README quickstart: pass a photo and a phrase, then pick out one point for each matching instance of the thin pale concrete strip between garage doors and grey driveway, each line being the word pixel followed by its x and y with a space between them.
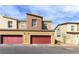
pixel 54 45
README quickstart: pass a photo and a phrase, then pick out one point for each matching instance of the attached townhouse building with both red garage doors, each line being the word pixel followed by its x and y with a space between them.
pixel 33 30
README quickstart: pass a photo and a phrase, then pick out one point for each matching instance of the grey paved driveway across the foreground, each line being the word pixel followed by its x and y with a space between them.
pixel 22 49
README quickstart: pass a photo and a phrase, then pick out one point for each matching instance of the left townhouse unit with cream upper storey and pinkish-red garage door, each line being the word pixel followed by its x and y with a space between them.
pixel 8 34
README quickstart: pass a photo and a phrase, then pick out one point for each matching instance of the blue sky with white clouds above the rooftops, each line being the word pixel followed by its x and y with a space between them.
pixel 56 13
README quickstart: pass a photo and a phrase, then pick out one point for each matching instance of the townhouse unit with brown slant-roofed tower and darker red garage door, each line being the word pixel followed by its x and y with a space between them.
pixel 39 30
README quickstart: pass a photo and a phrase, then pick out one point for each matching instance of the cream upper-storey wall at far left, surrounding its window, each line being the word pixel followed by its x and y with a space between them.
pixel 4 23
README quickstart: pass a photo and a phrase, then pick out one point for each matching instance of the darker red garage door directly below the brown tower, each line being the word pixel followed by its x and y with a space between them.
pixel 40 39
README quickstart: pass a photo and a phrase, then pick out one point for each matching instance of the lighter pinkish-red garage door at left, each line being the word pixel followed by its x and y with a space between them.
pixel 12 39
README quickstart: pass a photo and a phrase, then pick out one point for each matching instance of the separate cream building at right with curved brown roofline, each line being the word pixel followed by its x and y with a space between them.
pixel 67 33
